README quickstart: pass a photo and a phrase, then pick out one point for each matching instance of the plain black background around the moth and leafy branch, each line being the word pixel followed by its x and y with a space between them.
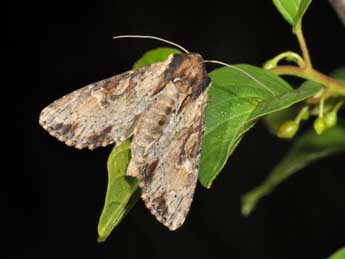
pixel 58 195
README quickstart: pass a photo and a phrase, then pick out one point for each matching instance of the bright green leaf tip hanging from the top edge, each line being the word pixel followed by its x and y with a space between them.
pixel 292 10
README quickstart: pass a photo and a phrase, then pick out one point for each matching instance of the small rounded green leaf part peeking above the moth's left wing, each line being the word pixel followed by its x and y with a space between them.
pixel 154 56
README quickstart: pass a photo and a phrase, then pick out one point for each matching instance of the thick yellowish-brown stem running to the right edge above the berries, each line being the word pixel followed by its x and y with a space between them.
pixel 333 86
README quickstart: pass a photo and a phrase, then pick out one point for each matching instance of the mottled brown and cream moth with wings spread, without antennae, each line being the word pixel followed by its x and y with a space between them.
pixel 162 108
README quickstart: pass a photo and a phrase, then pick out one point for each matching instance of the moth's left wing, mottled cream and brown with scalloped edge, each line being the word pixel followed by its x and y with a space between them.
pixel 104 112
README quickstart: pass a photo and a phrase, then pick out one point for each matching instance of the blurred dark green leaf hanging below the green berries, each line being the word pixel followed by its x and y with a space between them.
pixel 305 150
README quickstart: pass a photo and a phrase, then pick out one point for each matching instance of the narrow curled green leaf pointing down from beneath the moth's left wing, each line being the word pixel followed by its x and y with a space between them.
pixel 122 191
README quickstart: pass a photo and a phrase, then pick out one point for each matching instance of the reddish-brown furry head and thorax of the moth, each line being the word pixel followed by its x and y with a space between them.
pixel 188 73
